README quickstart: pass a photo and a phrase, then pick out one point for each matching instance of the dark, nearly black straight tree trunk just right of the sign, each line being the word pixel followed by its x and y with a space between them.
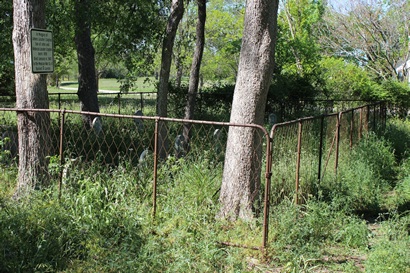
pixel 87 81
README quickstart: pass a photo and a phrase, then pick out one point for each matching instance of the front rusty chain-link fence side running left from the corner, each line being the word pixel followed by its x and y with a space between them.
pixel 116 140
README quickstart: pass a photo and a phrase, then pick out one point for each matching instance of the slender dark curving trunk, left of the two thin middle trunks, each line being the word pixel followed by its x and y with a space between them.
pixel 177 11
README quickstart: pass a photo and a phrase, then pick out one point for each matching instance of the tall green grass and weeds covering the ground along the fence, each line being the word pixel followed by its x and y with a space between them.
pixel 104 222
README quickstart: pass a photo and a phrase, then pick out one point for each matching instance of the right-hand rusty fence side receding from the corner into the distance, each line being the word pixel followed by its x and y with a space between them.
pixel 307 150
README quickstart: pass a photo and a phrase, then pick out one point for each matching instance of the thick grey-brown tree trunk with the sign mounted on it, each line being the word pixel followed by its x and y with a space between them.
pixel 31 93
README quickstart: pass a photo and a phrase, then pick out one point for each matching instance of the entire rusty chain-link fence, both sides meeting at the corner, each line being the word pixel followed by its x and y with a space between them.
pixel 297 156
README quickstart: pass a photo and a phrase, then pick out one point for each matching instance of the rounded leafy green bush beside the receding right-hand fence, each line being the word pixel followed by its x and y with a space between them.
pixel 364 177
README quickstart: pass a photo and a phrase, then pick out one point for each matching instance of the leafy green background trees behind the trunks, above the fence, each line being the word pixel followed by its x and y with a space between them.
pixel 334 53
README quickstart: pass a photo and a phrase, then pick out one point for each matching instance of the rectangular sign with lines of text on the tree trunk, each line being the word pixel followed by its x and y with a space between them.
pixel 42 51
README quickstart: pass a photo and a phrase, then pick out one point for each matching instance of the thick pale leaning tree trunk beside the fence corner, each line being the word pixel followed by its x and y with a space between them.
pixel 241 176
